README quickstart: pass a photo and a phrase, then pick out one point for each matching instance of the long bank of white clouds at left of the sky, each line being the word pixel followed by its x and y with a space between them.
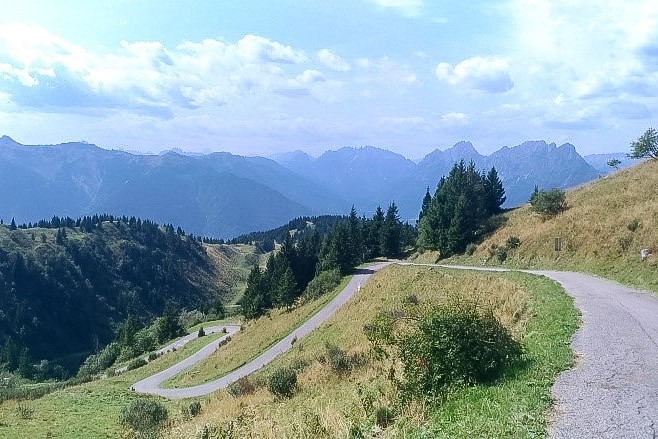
pixel 40 69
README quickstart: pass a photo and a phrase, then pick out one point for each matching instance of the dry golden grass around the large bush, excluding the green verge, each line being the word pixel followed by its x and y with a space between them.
pixel 327 405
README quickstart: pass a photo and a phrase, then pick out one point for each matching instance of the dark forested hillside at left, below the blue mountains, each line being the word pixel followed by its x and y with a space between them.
pixel 65 284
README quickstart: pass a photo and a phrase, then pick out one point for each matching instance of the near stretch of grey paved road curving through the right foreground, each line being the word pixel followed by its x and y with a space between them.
pixel 612 392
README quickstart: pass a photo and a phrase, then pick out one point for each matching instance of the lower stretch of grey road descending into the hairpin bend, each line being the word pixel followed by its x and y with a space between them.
pixel 152 384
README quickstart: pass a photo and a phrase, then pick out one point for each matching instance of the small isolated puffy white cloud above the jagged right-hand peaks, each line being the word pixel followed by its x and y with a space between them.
pixel 488 74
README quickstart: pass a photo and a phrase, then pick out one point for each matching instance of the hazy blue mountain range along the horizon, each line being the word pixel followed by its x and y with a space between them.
pixel 224 195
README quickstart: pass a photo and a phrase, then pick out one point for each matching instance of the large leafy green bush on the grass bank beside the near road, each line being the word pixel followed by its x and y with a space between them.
pixel 444 346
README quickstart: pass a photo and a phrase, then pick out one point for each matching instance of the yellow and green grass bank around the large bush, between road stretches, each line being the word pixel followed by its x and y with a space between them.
pixel 328 405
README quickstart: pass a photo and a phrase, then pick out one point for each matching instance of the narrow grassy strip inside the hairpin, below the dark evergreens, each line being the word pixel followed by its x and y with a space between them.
pixel 251 341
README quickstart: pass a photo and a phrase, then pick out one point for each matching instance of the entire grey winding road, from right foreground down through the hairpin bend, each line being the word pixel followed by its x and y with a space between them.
pixel 612 392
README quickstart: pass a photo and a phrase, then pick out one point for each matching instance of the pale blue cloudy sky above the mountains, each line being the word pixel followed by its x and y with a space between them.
pixel 264 77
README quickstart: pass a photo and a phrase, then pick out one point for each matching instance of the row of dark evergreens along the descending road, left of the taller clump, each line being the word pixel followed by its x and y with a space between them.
pixel 349 242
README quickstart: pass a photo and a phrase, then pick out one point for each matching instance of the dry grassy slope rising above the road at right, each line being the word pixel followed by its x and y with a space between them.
pixel 592 230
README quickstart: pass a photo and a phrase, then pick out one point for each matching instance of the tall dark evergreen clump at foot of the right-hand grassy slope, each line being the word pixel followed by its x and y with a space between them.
pixel 457 213
